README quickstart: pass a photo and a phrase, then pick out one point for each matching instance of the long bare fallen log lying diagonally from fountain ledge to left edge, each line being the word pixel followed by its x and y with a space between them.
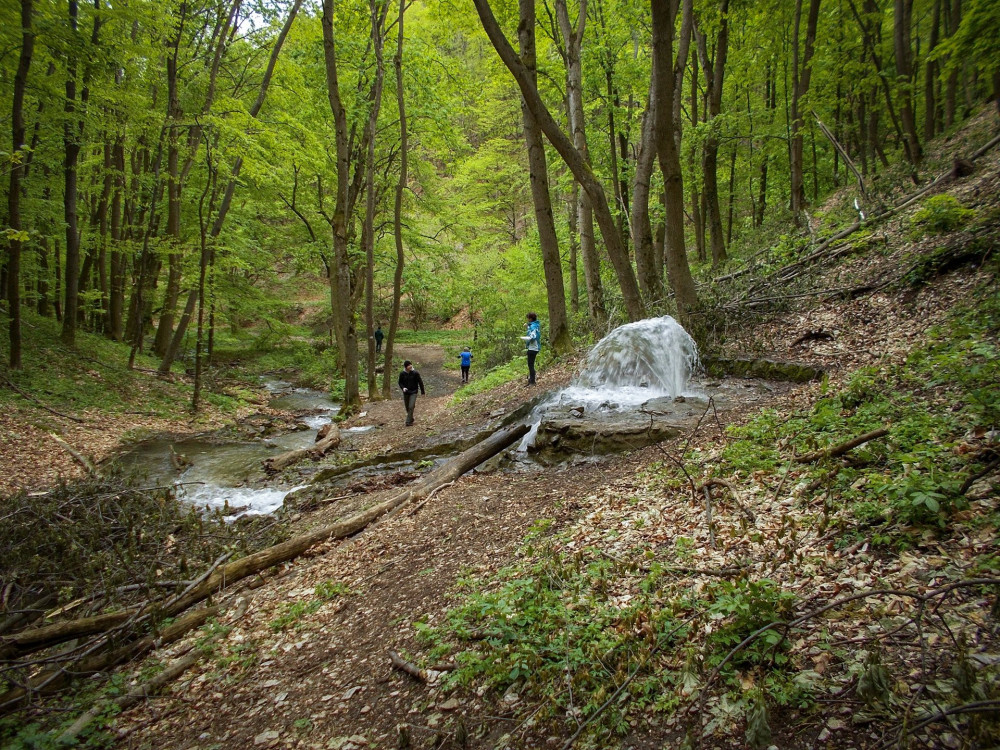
pixel 226 575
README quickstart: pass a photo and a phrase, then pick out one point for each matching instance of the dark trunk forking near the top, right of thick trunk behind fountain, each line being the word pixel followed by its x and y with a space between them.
pixel 714 73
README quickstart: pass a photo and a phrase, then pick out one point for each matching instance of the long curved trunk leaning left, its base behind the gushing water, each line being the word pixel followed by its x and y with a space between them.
pixel 574 160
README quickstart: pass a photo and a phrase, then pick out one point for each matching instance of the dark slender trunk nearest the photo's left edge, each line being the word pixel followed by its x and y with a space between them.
pixel 18 134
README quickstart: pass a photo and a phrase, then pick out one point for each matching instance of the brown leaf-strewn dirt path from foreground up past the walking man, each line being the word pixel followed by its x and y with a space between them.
pixel 298 671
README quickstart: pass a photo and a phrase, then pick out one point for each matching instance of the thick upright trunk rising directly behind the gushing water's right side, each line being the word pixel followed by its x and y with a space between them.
pixel 664 77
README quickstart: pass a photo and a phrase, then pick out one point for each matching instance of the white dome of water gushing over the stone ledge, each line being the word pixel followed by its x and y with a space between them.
pixel 635 363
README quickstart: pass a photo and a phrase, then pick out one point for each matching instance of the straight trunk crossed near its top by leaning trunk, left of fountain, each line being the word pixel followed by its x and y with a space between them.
pixel 559 334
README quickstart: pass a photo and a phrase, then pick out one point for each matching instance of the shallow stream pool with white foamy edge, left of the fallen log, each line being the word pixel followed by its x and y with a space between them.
pixel 220 474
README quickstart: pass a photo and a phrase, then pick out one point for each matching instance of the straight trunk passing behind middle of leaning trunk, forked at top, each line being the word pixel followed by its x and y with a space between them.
pixel 573 39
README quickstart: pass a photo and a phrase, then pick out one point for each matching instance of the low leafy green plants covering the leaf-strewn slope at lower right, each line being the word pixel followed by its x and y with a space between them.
pixel 567 627
